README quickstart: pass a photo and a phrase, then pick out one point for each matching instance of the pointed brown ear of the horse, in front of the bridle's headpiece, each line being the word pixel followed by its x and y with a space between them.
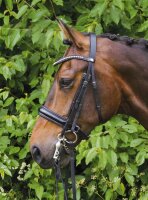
pixel 77 38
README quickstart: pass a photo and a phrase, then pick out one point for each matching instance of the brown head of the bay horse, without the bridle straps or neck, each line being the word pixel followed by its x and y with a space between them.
pixel 67 81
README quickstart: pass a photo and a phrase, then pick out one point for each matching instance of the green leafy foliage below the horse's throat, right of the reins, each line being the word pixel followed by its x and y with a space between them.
pixel 116 155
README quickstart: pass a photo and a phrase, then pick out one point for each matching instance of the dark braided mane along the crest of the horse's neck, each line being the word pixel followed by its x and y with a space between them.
pixel 129 41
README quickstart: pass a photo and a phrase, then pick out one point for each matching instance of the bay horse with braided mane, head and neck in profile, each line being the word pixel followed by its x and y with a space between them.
pixel 121 77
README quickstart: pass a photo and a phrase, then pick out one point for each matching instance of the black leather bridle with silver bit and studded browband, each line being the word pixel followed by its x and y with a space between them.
pixel 69 124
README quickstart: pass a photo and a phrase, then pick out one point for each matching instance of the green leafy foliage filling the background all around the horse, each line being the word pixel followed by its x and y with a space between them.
pixel 30 41
